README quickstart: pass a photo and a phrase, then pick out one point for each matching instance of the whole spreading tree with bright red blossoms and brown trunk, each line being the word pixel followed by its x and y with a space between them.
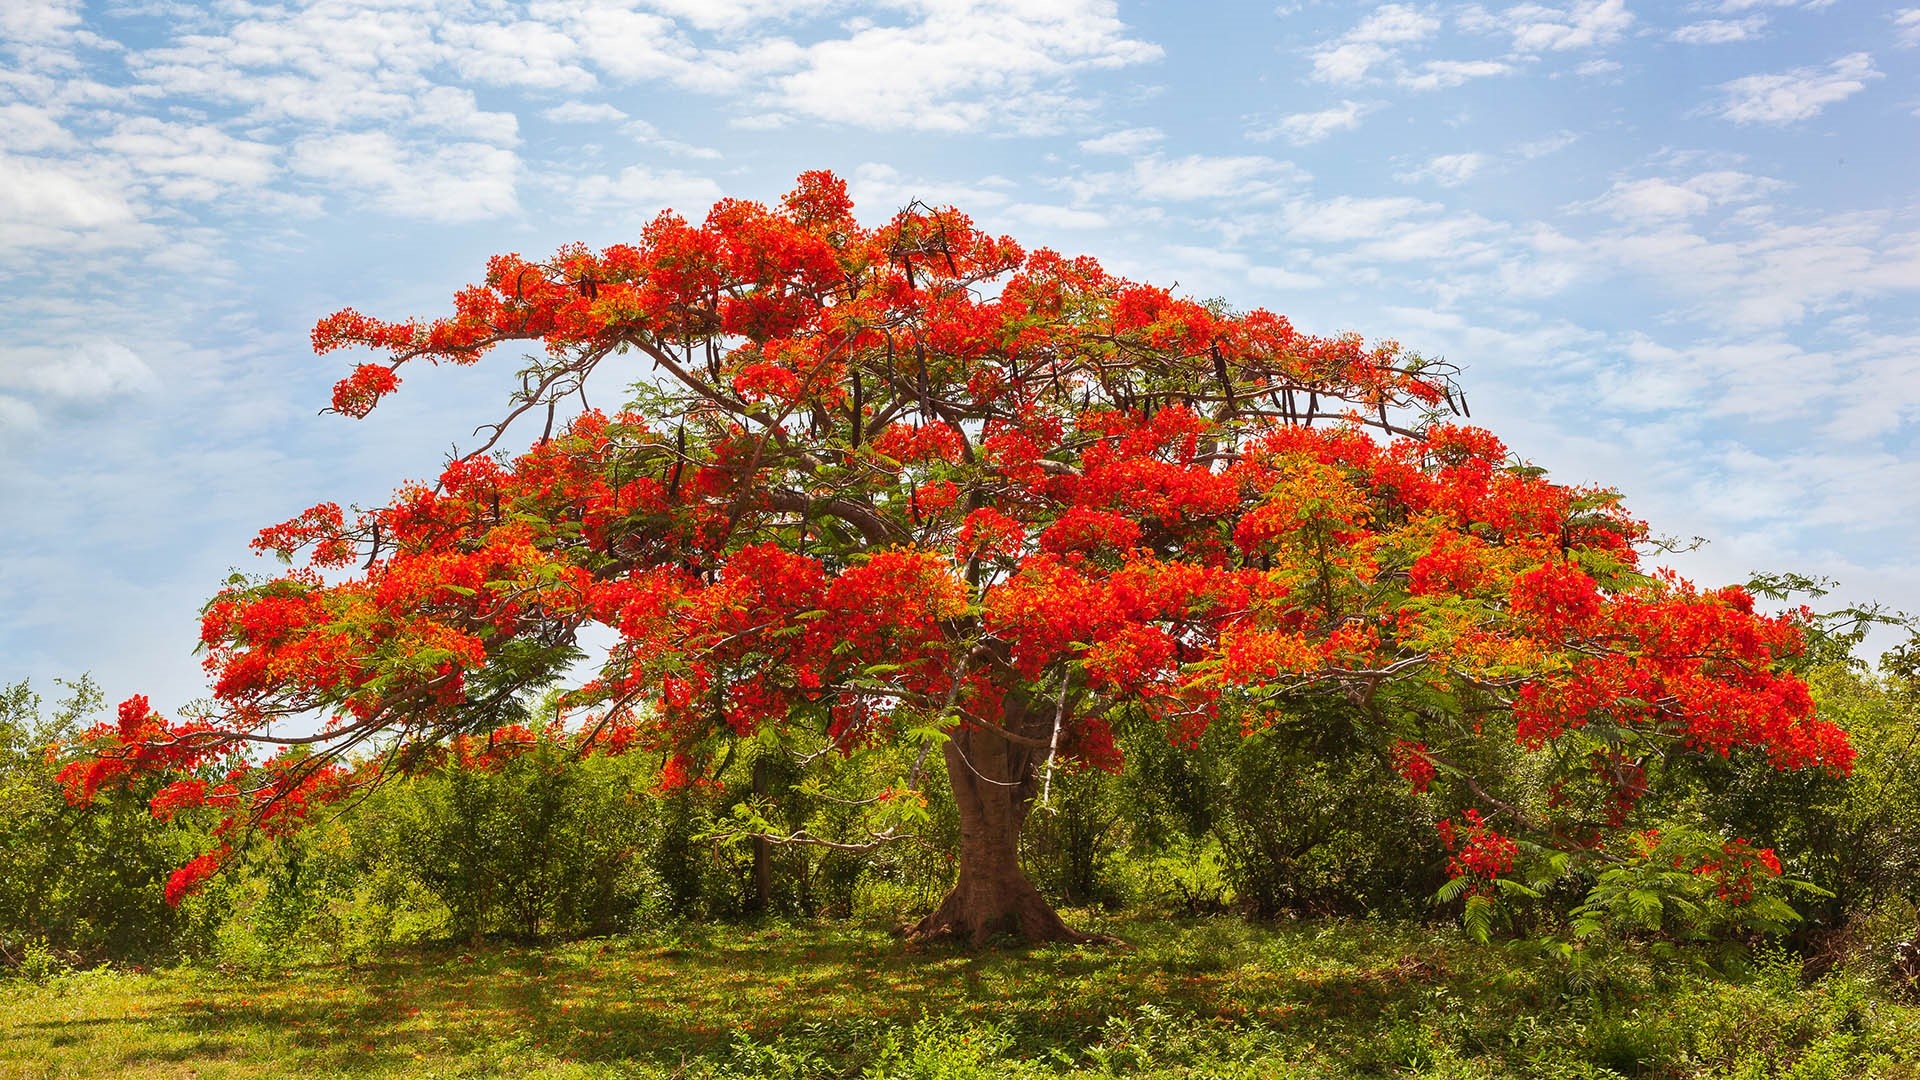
pixel 917 478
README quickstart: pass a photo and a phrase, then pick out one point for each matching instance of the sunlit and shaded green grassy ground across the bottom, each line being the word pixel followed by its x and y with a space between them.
pixel 1180 998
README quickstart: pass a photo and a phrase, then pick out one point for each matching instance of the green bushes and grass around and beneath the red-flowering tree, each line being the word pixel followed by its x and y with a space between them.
pixel 1270 912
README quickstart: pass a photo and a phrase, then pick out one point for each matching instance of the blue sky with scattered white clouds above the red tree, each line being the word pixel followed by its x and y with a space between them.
pixel 1675 247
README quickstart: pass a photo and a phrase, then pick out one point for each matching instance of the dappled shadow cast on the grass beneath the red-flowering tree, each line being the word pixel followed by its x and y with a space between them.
pixel 669 1000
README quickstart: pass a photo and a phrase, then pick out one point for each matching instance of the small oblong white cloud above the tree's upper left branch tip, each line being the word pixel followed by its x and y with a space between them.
pixel 458 182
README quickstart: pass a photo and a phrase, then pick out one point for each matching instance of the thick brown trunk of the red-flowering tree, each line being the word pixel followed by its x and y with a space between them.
pixel 994 783
